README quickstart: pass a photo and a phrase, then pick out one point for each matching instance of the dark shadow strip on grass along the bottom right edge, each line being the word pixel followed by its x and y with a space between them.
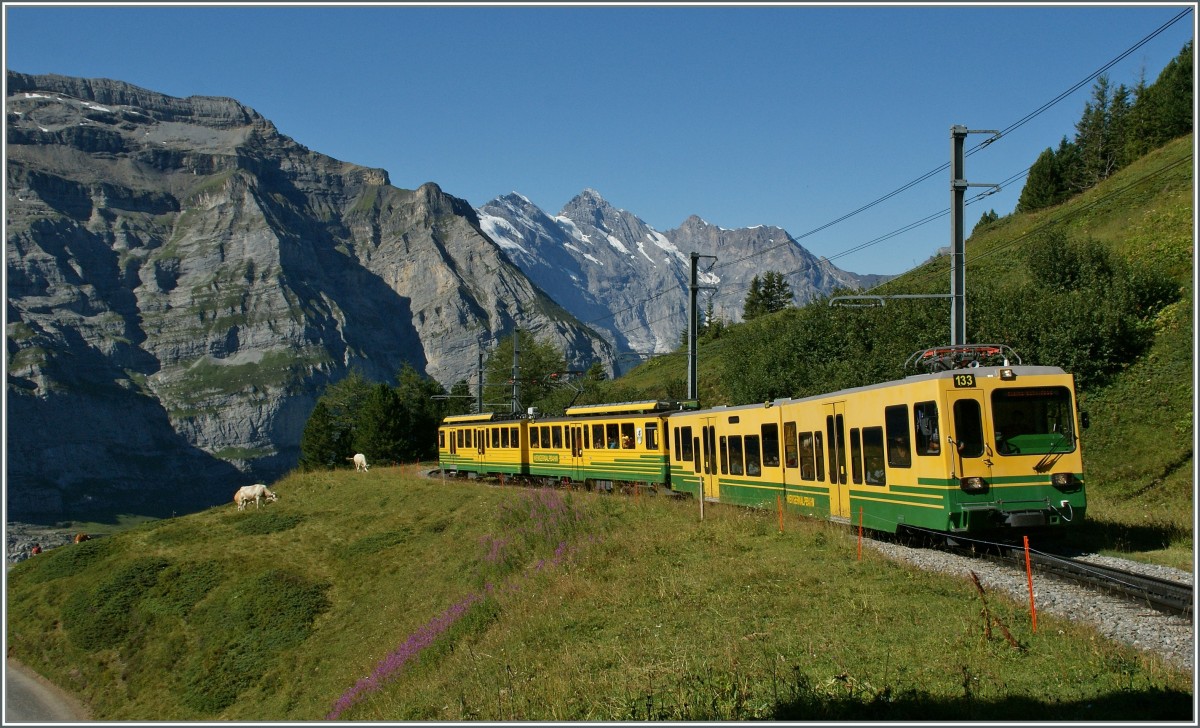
pixel 1126 706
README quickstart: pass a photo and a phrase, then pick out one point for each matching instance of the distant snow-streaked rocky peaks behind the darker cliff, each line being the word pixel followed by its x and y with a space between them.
pixel 632 282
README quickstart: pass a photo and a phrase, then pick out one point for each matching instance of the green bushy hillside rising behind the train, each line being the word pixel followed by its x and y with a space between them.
pixel 1101 286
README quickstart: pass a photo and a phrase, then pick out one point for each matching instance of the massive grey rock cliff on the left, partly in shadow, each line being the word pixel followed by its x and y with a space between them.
pixel 183 280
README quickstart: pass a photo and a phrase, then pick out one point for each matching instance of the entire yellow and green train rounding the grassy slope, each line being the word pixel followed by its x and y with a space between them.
pixel 969 448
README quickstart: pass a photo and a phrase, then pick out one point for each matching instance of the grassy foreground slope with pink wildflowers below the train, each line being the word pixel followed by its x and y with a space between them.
pixel 386 597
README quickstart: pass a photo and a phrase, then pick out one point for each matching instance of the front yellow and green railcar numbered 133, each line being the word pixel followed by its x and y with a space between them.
pixel 962 450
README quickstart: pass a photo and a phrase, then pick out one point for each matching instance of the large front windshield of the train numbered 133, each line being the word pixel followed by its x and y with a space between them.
pixel 1034 420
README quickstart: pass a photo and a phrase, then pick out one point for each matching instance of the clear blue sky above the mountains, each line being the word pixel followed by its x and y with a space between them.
pixel 785 116
